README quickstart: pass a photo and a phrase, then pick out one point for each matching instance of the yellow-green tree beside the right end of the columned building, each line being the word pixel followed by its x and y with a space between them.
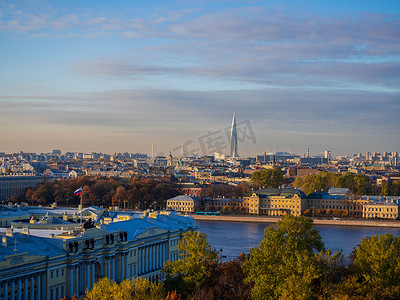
pixel 195 262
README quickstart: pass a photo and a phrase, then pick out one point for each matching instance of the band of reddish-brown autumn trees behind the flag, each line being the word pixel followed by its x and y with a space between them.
pixel 132 193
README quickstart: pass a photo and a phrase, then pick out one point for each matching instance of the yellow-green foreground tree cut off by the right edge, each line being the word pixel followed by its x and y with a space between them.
pixel 377 261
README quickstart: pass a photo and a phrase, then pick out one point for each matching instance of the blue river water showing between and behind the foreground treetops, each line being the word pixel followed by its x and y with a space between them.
pixel 237 237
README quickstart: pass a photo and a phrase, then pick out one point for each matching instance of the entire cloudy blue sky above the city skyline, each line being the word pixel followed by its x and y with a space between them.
pixel 114 77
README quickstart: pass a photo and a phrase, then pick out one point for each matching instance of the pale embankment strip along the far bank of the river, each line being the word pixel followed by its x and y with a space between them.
pixel 259 219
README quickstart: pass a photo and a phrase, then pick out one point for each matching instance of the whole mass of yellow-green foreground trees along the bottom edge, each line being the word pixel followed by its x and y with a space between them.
pixel 289 263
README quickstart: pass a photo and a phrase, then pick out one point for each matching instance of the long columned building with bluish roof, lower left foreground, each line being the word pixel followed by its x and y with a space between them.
pixel 51 264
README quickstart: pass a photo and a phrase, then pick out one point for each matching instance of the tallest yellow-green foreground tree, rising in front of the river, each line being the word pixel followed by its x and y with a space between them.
pixel 284 264
